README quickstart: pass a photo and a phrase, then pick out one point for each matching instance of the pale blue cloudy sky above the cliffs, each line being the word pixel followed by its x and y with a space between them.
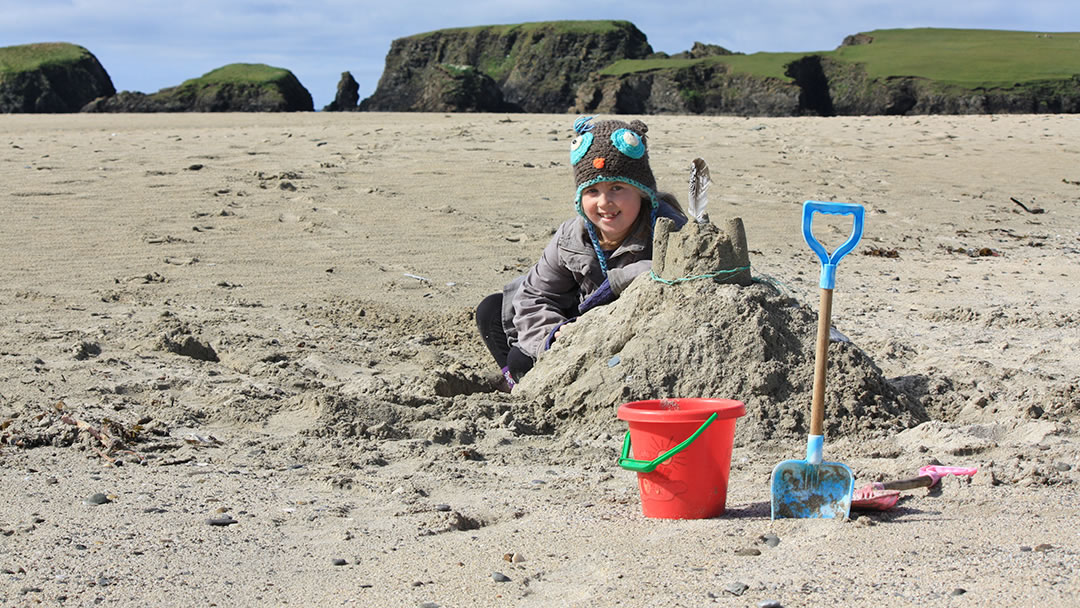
pixel 147 46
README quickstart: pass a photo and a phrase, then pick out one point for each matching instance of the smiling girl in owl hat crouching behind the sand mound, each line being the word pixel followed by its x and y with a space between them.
pixel 592 258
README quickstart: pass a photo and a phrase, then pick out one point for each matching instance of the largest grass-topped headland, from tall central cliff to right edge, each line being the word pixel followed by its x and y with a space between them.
pixel 609 67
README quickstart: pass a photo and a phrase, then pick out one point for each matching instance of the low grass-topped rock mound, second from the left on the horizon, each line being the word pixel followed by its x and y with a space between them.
pixel 237 88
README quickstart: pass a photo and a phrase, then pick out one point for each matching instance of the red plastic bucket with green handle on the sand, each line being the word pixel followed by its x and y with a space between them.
pixel 682 454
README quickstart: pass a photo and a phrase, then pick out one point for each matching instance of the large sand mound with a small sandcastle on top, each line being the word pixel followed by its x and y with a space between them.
pixel 700 339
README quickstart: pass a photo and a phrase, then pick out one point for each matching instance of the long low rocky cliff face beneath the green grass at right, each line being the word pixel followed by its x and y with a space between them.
pixel 816 86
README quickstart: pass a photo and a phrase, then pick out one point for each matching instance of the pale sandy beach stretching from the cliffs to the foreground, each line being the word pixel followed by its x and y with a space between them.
pixel 239 366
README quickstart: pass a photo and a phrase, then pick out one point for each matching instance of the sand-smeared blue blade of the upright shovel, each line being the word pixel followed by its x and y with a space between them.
pixel 804 491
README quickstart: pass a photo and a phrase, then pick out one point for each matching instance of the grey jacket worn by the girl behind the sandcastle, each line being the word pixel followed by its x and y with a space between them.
pixel 569 273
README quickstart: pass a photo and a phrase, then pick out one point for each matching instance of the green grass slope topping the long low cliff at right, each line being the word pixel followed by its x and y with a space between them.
pixel 970 59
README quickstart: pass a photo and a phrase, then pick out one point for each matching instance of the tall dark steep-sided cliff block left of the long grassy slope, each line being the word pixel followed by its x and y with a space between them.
pixel 529 67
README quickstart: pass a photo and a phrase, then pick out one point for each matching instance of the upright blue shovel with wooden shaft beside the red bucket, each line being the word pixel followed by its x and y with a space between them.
pixel 812 489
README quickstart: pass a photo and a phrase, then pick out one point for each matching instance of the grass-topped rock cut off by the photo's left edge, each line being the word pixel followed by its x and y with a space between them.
pixel 50 78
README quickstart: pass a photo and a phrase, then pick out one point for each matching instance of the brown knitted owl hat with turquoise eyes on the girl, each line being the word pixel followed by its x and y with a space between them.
pixel 612 151
